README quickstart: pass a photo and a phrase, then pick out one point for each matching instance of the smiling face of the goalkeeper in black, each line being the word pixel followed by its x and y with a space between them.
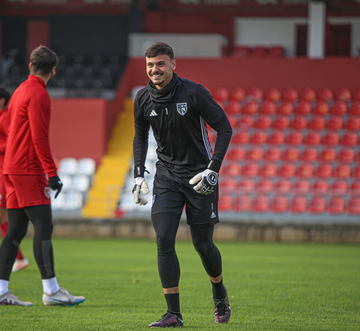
pixel 160 70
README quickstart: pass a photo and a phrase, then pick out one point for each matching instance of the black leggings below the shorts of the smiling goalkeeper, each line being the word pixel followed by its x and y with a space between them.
pixel 166 226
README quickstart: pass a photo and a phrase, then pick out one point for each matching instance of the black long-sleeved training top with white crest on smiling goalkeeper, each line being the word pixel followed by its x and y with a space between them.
pixel 178 114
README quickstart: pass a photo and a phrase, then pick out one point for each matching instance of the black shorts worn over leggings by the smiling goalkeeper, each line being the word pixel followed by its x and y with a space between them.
pixel 171 196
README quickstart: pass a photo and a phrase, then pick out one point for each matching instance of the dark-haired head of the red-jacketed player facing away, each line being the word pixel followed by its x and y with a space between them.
pixel 43 60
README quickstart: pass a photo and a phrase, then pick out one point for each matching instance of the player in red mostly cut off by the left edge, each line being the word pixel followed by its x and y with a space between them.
pixel 21 262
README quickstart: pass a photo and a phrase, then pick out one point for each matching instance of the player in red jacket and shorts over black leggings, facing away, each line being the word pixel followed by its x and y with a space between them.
pixel 30 173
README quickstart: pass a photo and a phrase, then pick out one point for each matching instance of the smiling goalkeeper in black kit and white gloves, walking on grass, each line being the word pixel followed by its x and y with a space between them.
pixel 186 173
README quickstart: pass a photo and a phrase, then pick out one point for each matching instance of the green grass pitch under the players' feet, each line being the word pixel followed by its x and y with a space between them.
pixel 271 287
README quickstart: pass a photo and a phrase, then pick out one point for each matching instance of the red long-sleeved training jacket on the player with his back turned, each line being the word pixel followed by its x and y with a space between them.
pixel 28 148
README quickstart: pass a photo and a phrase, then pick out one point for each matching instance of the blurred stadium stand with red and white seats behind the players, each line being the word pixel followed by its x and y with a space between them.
pixel 285 71
